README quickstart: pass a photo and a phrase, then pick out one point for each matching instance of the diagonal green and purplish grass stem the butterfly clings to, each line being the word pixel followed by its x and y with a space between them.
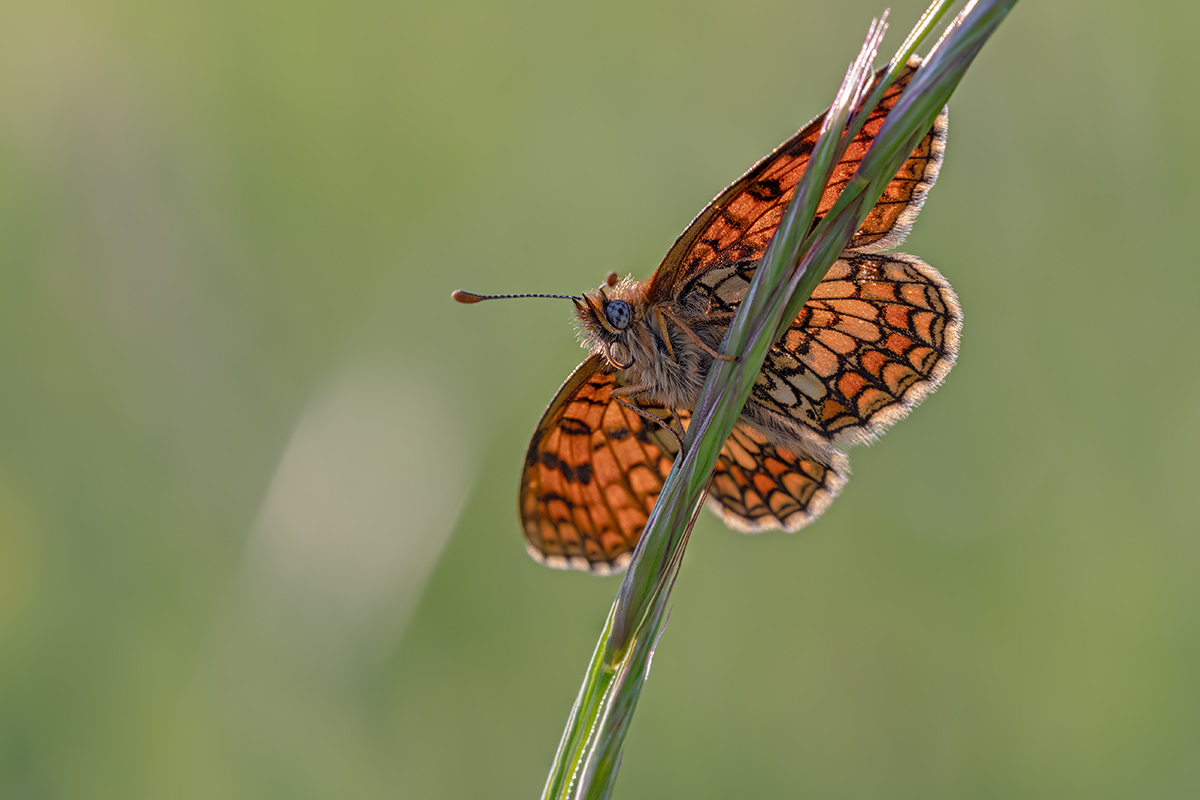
pixel 591 750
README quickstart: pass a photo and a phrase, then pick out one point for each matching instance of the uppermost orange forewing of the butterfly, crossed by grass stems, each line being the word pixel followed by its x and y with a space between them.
pixel 739 225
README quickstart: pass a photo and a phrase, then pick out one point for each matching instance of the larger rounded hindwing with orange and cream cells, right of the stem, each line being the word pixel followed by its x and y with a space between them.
pixel 879 334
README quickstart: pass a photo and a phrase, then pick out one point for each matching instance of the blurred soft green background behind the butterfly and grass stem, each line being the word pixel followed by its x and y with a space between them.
pixel 257 473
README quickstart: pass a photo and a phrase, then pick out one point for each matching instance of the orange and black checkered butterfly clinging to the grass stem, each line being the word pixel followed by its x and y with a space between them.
pixel 880 332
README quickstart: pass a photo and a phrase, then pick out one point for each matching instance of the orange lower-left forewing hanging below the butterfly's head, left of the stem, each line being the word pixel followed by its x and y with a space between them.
pixel 593 472
